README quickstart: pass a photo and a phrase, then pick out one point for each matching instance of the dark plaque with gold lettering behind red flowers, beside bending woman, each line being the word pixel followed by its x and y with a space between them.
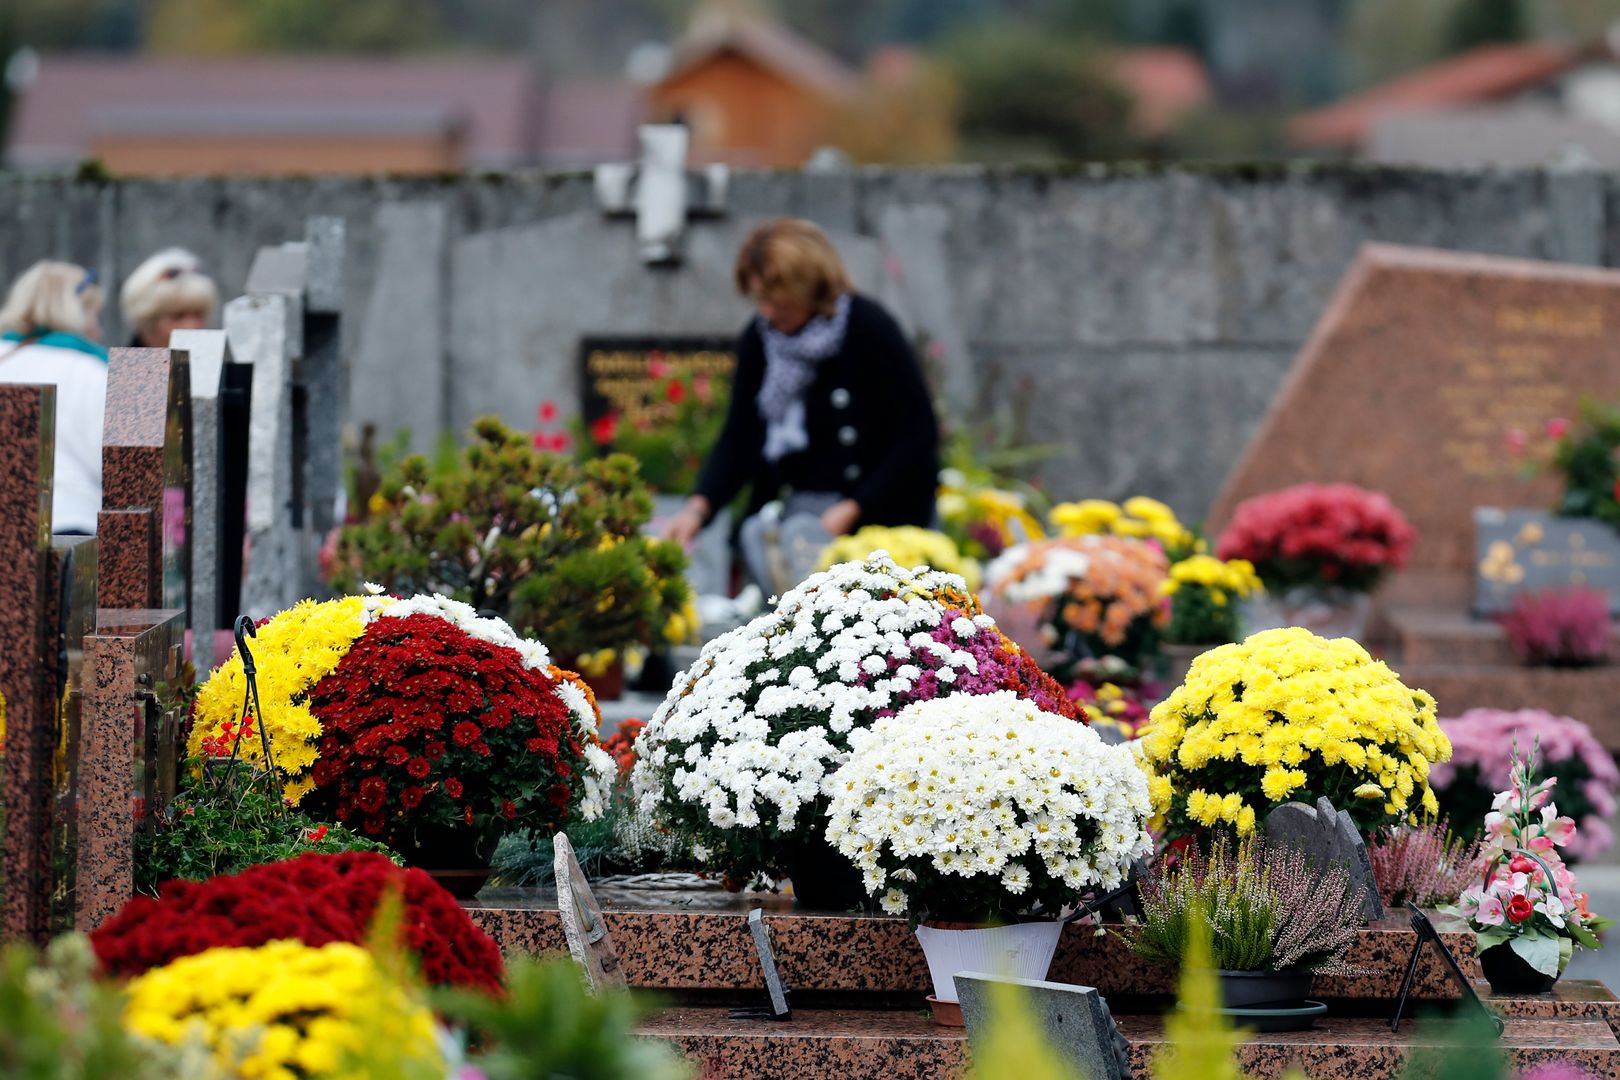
pixel 629 378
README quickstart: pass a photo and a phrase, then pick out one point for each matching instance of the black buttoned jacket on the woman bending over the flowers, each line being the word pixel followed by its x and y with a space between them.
pixel 872 432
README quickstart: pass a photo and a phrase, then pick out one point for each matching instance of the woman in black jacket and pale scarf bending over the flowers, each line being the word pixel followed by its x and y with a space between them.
pixel 829 406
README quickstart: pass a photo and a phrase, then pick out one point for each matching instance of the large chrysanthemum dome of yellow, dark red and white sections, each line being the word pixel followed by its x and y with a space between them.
pixel 417 723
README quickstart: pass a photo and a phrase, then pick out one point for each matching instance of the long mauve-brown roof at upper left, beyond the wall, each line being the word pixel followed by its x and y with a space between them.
pixel 497 106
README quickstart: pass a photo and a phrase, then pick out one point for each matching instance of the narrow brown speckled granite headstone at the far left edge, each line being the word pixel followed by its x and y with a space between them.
pixel 27 456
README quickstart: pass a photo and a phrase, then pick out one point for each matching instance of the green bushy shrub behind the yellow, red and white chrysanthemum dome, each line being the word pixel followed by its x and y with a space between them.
pixel 553 546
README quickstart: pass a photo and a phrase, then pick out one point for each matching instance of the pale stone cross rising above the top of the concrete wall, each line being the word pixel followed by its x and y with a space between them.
pixel 659 192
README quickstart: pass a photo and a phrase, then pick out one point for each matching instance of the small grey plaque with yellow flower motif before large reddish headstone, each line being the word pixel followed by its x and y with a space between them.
pixel 1528 550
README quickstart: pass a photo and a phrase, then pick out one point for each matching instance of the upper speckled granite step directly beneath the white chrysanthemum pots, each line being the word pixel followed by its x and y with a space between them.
pixel 683 950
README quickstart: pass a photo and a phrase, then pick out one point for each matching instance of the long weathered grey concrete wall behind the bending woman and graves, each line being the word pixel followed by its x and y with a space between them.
pixel 1143 318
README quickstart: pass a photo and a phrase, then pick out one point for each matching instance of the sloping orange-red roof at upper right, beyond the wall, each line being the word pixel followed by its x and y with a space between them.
pixel 1477 77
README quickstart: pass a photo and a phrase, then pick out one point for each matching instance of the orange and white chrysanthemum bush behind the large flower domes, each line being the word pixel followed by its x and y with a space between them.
pixel 1094 595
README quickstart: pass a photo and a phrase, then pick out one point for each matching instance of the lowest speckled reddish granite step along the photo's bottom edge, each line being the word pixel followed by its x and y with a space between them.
pixel 905 1045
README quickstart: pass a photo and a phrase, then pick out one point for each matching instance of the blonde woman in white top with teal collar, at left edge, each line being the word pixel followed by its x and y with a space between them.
pixel 51 333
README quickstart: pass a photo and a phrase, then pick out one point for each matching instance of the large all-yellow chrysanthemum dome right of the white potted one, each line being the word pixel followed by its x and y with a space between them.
pixel 1289 716
